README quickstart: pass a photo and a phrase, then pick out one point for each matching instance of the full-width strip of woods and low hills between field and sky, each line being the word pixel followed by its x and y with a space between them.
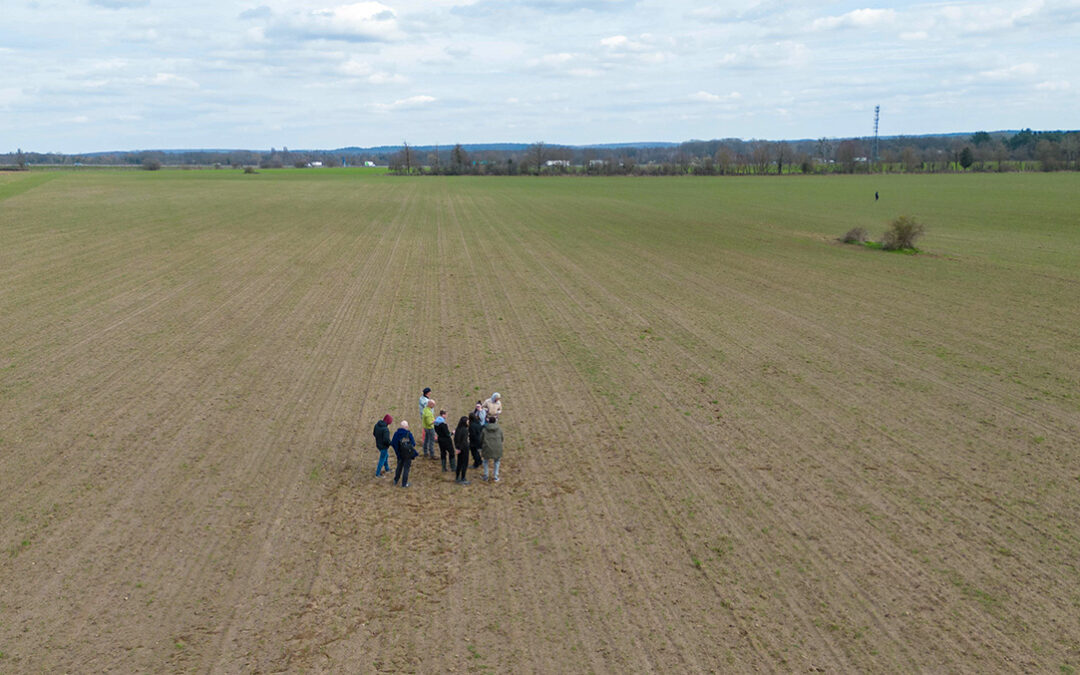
pixel 992 152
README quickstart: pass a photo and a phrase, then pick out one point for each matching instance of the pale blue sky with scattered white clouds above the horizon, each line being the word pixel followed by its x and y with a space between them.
pixel 82 76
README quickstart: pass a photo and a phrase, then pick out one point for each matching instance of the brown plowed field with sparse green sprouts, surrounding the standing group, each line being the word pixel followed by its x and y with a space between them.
pixel 733 443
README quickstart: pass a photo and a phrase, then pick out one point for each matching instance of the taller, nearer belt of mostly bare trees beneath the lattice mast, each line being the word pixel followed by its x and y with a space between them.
pixel 1001 152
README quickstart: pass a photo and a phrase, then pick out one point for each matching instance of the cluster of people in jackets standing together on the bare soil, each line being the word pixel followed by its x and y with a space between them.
pixel 478 435
